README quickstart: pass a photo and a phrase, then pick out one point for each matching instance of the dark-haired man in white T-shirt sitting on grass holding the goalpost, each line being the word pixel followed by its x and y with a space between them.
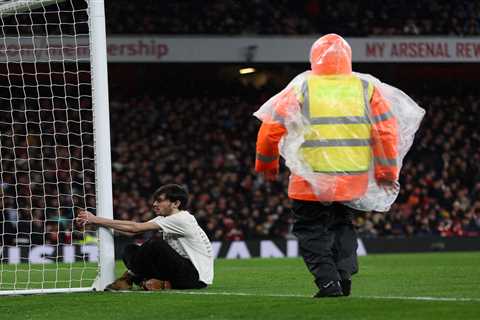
pixel 179 256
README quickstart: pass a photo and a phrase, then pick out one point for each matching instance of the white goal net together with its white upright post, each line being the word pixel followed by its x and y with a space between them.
pixel 53 114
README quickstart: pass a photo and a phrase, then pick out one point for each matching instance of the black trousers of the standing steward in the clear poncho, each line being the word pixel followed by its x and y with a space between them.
pixel 327 239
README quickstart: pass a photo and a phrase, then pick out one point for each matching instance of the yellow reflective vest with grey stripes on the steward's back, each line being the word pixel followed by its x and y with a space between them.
pixel 339 137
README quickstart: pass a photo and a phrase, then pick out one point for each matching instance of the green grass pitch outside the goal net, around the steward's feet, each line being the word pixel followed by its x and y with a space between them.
pixel 387 287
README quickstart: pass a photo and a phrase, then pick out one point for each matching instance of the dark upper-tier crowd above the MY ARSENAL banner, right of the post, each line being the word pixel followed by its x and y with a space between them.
pixel 289 17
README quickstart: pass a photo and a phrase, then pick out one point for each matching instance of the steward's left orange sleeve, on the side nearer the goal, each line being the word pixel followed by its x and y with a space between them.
pixel 271 132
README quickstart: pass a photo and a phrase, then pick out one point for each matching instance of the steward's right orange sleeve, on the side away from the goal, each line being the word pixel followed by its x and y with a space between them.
pixel 384 139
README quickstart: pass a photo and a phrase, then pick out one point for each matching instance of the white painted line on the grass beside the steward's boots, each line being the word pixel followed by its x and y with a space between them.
pixel 306 296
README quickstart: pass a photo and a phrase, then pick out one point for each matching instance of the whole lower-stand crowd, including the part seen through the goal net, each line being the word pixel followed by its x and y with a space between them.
pixel 207 143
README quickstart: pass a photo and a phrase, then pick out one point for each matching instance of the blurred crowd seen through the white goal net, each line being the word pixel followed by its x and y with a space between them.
pixel 47 167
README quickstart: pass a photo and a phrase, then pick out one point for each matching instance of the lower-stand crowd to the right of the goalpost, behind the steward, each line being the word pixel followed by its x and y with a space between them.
pixel 208 145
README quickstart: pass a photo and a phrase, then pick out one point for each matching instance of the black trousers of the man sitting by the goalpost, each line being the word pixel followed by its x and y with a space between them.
pixel 156 259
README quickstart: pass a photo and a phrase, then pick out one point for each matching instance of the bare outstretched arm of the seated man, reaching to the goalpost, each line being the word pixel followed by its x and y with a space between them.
pixel 131 227
